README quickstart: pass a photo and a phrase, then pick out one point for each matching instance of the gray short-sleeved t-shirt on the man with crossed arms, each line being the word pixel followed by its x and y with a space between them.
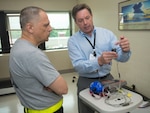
pixel 31 71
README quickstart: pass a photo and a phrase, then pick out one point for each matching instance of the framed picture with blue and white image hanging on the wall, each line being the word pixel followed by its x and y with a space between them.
pixel 134 15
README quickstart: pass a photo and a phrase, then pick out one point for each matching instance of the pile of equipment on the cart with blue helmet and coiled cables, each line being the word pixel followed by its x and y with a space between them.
pixel 111 91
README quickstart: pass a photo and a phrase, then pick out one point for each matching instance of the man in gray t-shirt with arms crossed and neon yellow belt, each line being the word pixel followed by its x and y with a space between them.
pixel 37 83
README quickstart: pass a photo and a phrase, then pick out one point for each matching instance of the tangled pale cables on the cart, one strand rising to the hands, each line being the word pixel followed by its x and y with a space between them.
pixel 114 95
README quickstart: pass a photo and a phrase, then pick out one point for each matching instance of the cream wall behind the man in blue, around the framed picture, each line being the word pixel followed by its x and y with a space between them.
pixel 137 69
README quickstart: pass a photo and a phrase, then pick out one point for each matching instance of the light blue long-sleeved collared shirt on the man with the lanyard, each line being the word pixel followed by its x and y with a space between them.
pixel 80 50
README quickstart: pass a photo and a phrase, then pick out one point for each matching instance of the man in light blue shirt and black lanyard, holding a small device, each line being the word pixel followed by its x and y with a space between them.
pixel 90 50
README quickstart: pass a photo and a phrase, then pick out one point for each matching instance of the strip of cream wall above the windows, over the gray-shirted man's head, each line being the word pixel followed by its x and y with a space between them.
pixel 50 5
